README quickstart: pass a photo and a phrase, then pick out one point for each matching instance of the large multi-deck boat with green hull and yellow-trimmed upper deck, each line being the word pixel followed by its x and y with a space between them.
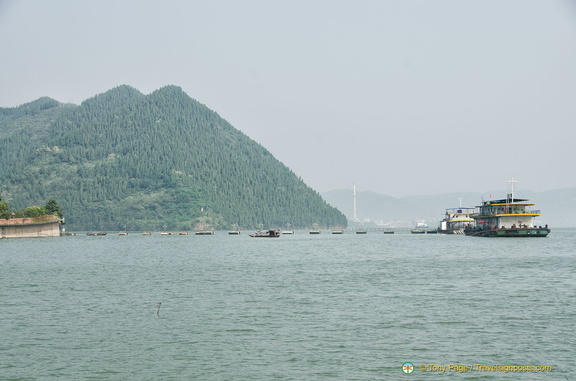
pixel 507 217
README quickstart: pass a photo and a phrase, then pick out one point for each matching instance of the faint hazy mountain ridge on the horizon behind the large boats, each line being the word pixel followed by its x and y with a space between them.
pixel 558 207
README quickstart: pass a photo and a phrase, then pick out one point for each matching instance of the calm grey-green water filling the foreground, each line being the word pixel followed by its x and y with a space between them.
pixel 302 307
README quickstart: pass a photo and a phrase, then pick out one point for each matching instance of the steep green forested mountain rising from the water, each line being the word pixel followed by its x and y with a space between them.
pixel 158 161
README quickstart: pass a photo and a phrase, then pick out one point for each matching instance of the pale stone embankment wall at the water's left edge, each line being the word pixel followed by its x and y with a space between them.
pixel 43 226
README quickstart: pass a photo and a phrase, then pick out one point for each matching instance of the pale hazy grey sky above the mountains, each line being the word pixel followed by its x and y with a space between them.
pixel 401 97
